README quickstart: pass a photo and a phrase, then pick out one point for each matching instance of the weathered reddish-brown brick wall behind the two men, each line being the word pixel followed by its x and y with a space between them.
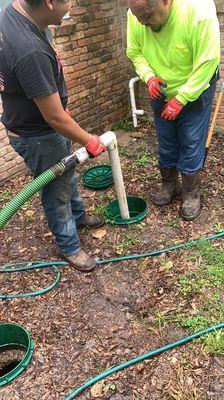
pixel 91 45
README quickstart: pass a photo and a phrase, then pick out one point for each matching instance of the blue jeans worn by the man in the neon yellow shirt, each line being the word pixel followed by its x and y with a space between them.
pixel 182 141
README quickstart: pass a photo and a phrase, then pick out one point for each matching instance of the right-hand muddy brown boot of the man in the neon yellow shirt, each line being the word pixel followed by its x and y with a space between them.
pixel 191 207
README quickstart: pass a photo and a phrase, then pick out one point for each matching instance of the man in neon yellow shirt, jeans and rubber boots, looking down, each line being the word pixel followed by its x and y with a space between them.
pixel 175 48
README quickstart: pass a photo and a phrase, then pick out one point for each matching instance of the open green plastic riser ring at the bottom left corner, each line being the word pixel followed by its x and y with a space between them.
pixel 14 336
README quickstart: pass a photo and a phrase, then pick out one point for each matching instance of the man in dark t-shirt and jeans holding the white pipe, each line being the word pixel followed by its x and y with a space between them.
pixel 39 128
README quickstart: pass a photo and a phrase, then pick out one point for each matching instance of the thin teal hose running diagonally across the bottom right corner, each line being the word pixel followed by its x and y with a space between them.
pixel 141 358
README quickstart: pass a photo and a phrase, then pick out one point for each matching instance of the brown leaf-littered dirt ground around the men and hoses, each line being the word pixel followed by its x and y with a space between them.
pixel 91 322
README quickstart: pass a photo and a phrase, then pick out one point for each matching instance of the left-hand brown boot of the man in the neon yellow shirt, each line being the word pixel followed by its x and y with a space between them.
pixel 171 187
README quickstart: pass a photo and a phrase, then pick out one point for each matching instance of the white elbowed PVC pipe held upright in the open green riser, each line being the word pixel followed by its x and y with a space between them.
pixel 110 141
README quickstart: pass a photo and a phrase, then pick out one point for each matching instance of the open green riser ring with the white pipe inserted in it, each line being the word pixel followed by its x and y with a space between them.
pixel 137 210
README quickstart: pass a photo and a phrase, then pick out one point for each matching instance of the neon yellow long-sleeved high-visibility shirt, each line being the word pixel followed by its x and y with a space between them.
pixel 185 53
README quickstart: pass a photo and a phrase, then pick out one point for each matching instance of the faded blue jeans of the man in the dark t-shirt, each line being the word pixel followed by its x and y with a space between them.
pixel 62 204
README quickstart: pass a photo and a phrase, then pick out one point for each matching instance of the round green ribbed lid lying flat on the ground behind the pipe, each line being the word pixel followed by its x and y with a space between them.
pixel 98 177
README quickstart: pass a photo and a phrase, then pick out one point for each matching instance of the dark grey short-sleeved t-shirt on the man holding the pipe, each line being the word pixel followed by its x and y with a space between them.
pixel 29 67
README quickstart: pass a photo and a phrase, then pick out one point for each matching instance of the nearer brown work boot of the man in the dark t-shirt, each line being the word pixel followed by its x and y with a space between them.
pixel 81 261
